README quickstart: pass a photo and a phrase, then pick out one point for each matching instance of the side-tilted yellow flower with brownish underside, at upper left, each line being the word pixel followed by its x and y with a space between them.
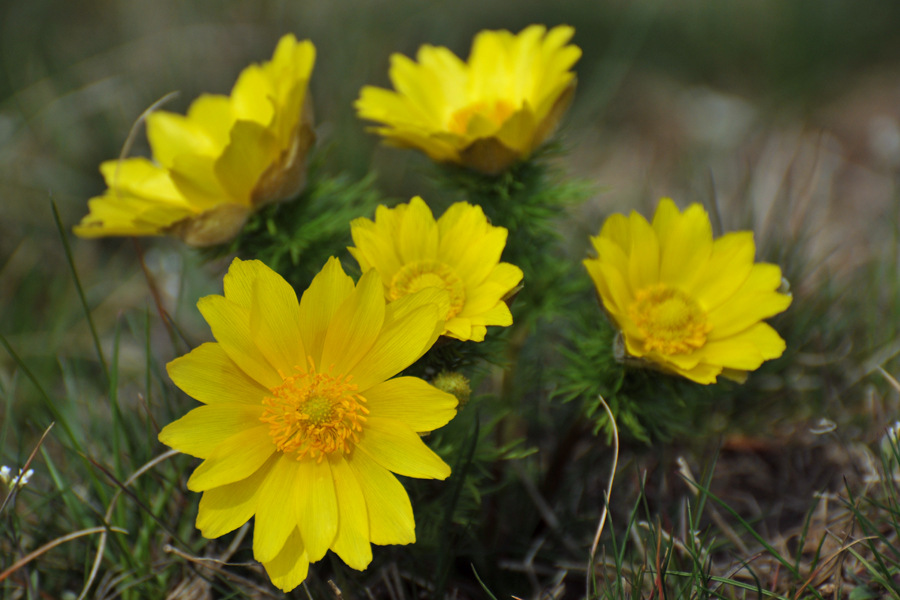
pixel 228 157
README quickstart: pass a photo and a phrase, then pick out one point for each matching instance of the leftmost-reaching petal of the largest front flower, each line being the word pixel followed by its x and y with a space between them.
pixel 200 432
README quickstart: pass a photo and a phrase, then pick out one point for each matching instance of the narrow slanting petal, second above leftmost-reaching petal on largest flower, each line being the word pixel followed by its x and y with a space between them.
pixel 230 324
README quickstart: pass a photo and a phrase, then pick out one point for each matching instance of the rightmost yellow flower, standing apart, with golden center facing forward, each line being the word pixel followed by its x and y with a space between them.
pixel 686 303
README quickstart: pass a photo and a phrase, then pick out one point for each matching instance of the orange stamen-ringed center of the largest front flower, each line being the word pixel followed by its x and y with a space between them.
pixel 314 413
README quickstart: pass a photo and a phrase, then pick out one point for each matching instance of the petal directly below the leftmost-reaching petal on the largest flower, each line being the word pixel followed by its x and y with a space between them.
pixel 235 459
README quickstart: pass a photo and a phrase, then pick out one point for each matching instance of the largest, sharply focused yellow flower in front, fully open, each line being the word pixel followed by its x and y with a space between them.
pixel 302 426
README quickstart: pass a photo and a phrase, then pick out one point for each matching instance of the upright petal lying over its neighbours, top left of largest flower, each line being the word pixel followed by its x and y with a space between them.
pixel 275 321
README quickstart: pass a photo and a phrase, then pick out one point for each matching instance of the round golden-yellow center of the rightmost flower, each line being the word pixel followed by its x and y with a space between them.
pixel 671 321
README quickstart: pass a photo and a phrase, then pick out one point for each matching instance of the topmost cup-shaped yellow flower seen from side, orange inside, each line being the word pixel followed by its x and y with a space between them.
pixel 485 114
